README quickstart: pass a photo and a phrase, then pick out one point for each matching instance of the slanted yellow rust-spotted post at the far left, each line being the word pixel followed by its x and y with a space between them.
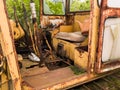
pixel 8 46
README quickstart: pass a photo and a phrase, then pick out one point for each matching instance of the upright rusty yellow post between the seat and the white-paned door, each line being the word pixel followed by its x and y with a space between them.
pixel 93 34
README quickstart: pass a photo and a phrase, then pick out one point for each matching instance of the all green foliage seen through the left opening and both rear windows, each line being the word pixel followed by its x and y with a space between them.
pixel 56 7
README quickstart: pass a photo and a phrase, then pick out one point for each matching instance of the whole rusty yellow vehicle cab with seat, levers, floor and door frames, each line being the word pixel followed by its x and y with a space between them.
pixel 70 47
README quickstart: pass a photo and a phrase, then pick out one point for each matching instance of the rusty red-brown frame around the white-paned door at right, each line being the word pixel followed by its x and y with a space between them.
pixel 106 12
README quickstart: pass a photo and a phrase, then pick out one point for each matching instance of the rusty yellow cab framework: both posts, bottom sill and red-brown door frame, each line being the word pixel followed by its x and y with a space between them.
pixel 10 53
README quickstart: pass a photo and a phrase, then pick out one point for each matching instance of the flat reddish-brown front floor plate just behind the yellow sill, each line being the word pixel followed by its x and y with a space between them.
pixel 49 78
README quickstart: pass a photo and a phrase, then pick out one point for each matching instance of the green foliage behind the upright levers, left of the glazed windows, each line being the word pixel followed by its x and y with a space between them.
pixel 19 9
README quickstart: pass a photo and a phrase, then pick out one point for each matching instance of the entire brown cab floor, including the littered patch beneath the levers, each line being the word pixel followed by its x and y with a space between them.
pixel 39 78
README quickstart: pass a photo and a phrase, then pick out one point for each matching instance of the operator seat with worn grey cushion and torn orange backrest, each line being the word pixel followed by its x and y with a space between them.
pixel 79 36
